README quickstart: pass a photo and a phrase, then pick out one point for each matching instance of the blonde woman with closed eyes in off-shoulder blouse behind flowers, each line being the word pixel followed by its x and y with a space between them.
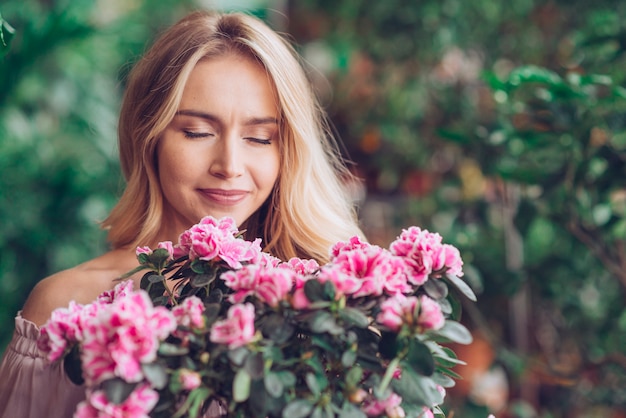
pixel 218 119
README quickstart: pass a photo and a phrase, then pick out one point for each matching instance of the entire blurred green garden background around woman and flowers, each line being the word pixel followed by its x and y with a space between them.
pixel 499 124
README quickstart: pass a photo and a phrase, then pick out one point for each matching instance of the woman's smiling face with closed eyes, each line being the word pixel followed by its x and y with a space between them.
pixel 220 156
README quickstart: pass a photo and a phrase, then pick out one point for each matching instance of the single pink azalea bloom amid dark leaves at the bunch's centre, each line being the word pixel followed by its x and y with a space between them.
pixel 237 329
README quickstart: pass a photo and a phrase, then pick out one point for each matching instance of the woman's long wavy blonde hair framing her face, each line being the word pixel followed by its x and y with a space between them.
pixel 308 210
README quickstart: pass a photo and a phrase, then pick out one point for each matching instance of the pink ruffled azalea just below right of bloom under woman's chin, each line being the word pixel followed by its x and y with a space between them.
pixel 270 285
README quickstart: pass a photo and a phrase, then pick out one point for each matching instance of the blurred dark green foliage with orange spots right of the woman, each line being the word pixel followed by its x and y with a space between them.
pixel 500 125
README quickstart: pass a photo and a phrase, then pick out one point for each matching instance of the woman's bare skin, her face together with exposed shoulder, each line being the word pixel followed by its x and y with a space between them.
pixel 219 156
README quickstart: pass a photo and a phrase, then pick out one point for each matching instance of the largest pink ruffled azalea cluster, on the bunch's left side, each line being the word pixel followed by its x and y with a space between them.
pixel 122 336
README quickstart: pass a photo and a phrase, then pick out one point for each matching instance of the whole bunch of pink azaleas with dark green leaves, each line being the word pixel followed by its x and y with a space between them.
pixel 220 328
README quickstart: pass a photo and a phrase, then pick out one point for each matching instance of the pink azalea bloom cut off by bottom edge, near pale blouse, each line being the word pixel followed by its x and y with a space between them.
pixel 138 405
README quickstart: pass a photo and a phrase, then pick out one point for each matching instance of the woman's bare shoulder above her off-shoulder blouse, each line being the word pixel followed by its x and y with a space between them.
pixel 81 284
